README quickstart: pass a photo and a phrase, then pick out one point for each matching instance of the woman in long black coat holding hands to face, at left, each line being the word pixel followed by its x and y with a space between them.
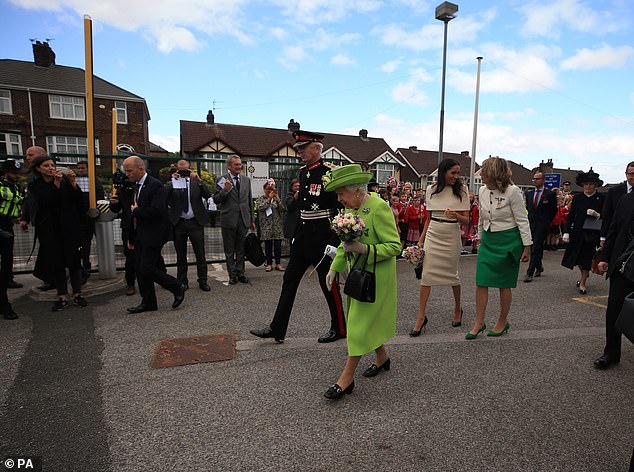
pixel 60 206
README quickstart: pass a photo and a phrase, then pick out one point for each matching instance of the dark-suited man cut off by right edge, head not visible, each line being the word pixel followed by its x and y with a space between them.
pixel 617 239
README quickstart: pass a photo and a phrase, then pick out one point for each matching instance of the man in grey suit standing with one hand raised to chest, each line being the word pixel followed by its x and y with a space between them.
pixel 233 194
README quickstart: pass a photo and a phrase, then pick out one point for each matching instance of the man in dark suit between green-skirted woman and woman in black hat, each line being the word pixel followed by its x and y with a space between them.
pixel 541 204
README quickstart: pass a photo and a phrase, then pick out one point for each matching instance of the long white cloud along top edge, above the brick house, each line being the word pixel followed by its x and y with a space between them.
pixel 169 24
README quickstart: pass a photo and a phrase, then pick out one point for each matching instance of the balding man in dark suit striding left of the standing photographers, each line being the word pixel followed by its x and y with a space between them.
pixel 149 230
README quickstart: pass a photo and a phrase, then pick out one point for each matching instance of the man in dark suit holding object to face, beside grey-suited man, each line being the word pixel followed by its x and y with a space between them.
pixel 189 217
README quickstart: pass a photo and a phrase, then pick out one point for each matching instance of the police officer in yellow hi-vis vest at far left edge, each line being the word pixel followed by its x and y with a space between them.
pixel 11 197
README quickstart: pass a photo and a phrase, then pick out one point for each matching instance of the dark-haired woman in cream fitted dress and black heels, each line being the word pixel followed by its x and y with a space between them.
pixel 448 208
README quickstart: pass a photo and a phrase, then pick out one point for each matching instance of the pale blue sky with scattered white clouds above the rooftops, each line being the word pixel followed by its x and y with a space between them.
pixel 557 76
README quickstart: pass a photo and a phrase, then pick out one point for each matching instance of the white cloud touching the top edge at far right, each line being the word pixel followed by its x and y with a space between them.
pixel 547 19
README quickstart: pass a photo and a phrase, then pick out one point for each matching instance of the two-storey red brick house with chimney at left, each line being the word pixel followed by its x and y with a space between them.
pixel 43 104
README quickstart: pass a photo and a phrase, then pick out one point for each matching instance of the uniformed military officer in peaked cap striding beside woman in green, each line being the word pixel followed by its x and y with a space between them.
pixel 312 234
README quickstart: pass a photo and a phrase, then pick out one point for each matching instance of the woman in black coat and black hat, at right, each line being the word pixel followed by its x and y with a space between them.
pixel 585 211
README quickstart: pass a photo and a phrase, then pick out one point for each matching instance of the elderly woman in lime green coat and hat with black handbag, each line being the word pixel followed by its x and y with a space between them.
pixel 370 325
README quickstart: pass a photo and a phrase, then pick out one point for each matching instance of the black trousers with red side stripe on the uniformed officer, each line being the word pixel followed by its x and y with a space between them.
pixel 297 266
